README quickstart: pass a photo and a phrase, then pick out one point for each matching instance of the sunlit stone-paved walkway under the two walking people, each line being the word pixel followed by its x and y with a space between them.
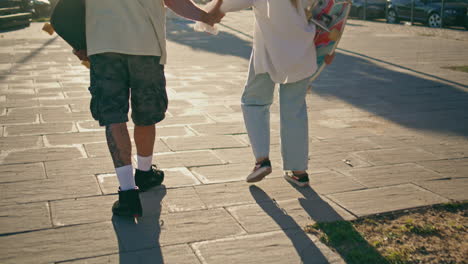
pixel 388 131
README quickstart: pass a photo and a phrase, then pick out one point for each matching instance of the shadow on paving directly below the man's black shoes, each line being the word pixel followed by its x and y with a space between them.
pixel 139 241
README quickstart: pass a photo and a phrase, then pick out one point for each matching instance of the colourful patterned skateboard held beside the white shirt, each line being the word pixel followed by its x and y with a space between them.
pixel 330 17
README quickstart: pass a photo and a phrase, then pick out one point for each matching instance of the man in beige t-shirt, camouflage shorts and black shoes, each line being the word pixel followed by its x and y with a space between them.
pixel 127 50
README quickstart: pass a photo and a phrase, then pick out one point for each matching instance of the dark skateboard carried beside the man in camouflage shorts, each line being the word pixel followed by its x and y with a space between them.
pixel 68 21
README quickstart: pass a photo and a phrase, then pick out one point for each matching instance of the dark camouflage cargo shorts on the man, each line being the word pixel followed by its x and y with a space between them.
pixel 117 78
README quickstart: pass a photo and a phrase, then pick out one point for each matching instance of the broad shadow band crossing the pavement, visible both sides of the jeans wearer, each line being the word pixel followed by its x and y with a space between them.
pixel 402 95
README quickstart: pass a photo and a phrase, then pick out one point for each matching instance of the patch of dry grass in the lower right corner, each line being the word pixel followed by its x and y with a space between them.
pixel 434 235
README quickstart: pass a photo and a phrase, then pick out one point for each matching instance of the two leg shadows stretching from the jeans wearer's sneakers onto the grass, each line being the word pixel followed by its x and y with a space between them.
pixel 321 212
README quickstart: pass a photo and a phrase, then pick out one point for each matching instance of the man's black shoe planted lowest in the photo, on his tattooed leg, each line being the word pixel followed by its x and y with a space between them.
pixel 128 204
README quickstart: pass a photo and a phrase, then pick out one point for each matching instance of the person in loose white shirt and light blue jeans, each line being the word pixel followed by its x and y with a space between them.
pixel 283 53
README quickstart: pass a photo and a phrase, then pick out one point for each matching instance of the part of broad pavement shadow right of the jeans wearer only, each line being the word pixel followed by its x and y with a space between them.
pixel 396 95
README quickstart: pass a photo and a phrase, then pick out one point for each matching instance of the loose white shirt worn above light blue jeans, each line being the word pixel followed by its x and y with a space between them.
pixel 283 39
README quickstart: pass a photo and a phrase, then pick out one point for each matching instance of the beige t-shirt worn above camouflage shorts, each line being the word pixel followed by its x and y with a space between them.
pixel 135 27
